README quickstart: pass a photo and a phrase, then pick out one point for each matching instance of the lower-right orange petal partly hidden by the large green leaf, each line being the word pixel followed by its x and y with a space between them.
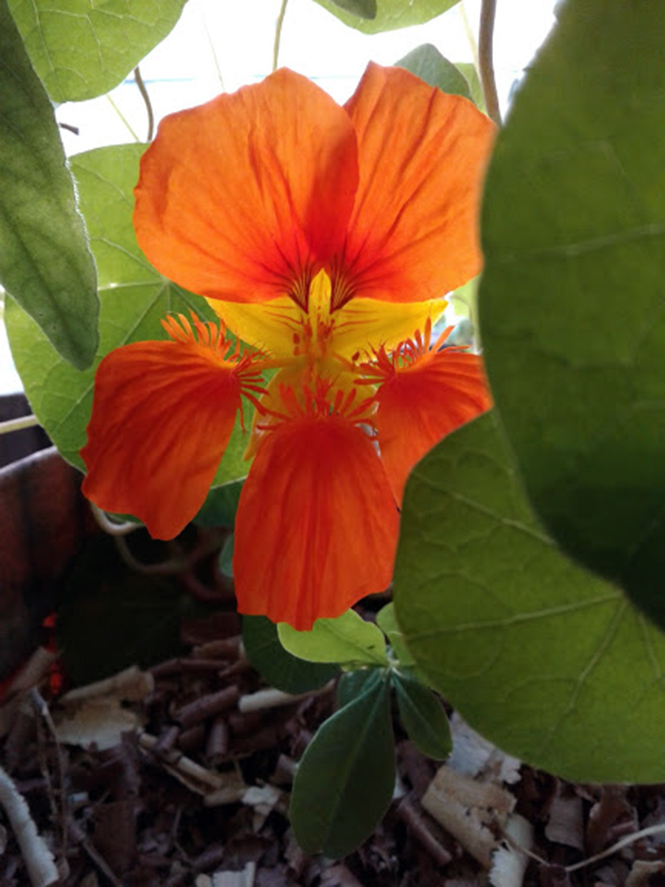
pixel 422 403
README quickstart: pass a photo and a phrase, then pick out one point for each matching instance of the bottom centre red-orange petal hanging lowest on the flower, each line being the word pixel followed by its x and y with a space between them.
pixel 316 528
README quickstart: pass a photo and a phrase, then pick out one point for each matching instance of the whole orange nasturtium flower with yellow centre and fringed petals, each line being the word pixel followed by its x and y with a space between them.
pixel 325 238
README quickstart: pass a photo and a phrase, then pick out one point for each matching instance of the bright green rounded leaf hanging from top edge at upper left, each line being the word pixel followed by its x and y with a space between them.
pixel 82 49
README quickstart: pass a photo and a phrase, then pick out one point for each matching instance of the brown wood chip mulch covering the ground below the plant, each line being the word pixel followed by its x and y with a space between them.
pixel 190 786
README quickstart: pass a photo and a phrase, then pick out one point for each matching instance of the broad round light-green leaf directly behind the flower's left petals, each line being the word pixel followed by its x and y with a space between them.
pixel 134 299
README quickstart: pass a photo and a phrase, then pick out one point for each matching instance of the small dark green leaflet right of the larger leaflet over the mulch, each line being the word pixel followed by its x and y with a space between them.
pixel 423 717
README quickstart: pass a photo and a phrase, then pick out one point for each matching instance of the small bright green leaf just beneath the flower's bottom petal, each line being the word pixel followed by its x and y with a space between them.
pixel 347 639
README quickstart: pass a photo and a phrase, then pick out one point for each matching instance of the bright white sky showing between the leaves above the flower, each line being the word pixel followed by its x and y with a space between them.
pixel 220 45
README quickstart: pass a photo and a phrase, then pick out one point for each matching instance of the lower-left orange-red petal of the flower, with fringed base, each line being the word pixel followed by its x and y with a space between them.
pixel 162 416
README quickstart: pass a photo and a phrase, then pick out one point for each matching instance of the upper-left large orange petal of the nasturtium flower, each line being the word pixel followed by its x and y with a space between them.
pixel 245 197
